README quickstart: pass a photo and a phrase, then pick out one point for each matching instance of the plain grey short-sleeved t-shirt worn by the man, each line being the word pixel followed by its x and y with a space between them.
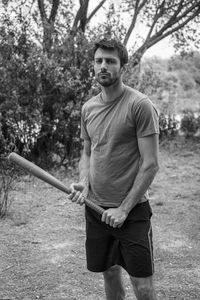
pixel 113 129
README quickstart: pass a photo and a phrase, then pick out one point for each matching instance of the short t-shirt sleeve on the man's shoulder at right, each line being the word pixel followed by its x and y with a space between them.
pixel 146 118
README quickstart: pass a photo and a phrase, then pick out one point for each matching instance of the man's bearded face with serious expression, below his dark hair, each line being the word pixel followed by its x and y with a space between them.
pixel 107 67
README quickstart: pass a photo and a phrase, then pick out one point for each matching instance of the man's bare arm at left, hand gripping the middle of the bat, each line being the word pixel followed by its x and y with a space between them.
pixel 79 190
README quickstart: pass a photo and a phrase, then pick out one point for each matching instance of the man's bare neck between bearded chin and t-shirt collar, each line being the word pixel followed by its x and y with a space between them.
pixel 111 93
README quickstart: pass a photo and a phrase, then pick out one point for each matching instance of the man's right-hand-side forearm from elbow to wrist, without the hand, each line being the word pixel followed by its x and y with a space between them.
pixel 142 182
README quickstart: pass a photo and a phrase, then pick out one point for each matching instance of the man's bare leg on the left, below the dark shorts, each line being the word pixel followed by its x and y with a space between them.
pixel 113 284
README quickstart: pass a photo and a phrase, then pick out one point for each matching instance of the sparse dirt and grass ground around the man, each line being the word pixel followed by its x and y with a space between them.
pixel 42 253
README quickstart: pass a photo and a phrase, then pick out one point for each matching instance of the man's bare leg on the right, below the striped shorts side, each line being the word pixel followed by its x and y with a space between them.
pixel 143 288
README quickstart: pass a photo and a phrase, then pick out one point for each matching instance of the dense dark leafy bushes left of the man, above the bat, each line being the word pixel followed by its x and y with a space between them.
pixel 41 97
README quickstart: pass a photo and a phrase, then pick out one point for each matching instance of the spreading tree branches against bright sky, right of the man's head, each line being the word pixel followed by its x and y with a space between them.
pixel 163 18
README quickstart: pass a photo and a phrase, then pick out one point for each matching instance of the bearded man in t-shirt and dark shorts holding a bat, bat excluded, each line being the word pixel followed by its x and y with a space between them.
pixel 118 164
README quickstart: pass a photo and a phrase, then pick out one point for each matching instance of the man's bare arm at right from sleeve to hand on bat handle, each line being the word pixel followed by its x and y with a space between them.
pixel 148 148
